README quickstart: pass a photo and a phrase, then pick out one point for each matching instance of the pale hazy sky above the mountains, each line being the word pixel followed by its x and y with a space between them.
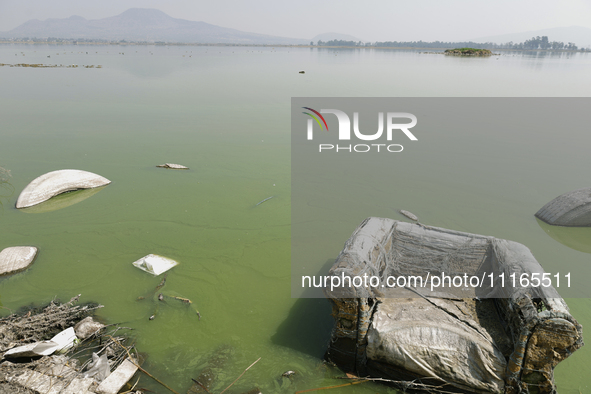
pixel 369 20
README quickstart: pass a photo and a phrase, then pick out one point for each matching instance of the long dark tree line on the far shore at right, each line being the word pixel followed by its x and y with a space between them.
pixel 533 43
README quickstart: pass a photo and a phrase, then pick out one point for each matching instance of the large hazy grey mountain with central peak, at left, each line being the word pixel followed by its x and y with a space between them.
pixel 142 24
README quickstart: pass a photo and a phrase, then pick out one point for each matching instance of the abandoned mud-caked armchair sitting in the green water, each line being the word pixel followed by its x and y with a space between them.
pixel 496 337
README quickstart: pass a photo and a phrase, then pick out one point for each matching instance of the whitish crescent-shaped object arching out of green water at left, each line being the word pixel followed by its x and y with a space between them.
pixel 57 182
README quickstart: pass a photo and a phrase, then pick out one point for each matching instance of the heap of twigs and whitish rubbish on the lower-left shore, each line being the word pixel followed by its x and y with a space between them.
pixel 82 356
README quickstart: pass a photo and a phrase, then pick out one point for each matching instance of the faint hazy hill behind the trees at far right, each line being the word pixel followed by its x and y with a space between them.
pixel 581 36
